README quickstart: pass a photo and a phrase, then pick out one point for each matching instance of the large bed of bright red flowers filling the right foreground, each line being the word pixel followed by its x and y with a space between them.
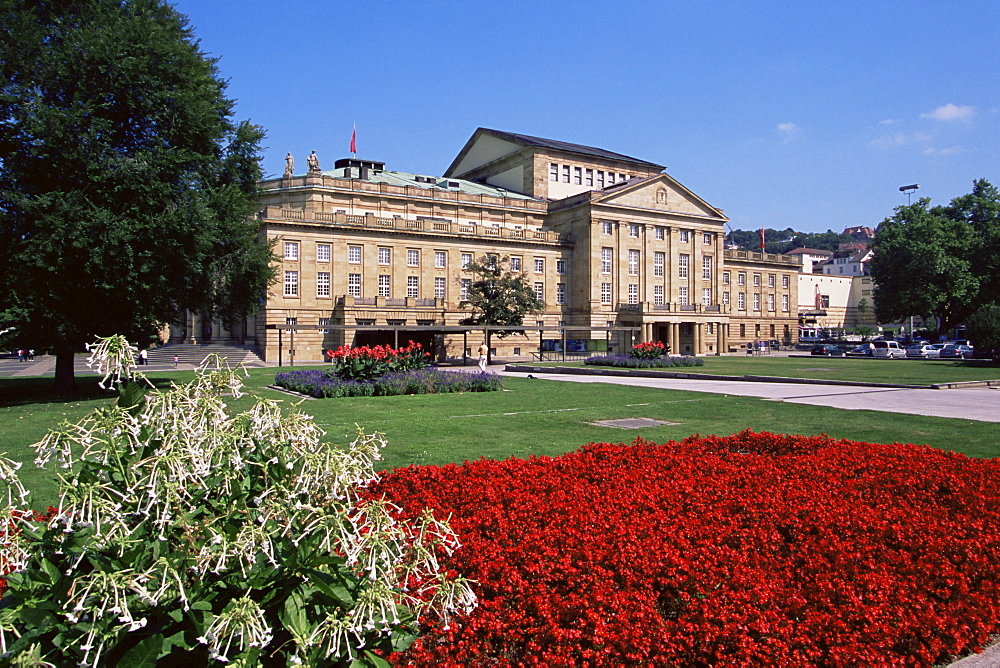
pixel 753 549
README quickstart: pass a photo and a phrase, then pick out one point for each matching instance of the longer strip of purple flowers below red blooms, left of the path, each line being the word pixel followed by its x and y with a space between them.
pixel 323 384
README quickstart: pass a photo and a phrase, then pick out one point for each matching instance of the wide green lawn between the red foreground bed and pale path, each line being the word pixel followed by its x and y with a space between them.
pixel 532 417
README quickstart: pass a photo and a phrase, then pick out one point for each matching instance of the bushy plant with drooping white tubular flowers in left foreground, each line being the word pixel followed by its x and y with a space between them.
pixel 187 532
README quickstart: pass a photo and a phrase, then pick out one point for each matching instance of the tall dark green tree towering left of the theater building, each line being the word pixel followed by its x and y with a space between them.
pixel 126 189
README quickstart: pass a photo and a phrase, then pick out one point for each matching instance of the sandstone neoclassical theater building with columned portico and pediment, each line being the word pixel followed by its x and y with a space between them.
pixel 616 249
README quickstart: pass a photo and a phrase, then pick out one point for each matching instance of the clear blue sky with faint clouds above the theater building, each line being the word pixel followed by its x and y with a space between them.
pixel 808 115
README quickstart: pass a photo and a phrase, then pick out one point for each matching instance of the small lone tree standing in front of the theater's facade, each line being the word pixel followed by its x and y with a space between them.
pixel 498 296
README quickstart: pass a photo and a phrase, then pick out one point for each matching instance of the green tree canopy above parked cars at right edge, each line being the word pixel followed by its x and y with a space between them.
pixel 938 261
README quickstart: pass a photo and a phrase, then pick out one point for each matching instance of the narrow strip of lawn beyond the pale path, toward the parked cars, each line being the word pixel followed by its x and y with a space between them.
pixel 904 372
